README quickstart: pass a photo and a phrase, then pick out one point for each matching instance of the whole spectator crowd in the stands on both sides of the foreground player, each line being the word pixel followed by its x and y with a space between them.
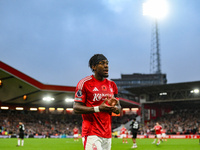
pixel 178 122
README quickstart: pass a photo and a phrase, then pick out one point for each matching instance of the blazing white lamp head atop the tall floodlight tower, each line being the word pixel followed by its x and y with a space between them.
pixel 155 8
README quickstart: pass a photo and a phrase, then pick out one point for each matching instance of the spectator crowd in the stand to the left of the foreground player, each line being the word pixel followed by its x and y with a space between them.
pixel 39 124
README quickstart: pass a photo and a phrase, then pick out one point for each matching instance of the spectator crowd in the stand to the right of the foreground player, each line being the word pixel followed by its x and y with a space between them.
pixel 182 121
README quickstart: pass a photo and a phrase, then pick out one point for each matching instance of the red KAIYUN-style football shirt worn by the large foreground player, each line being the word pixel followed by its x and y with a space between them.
pixel 93 92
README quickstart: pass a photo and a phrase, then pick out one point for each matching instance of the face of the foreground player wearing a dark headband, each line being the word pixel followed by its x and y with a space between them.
pixel 102 69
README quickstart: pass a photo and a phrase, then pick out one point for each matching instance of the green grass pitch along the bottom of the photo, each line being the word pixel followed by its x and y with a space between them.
pixel 69 144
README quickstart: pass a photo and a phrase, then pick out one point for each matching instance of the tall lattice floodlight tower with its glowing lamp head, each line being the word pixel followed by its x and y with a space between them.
pixel 156 9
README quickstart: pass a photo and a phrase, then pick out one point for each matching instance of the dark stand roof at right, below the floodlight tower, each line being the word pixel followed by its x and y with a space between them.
pixel 177 92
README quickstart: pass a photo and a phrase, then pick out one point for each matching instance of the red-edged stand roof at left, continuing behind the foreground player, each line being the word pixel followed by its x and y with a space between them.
pixel 16 88
